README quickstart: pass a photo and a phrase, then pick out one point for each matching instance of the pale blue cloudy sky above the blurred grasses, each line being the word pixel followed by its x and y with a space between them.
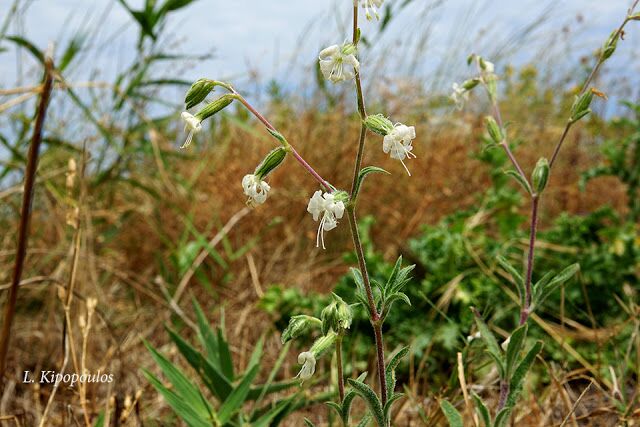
pixel 272 37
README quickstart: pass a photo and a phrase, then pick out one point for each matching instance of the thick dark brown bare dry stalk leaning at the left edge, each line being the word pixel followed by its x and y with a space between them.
pixel 25 215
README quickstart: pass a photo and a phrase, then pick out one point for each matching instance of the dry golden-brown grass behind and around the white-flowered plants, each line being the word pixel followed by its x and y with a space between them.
pixel 127 238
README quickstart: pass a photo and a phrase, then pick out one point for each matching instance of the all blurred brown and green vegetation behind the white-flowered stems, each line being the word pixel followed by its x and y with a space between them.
pixel 157 228
